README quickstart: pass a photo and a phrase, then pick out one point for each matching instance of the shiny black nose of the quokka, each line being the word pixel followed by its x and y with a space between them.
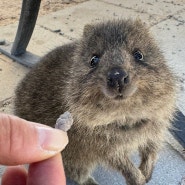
pixel 117 78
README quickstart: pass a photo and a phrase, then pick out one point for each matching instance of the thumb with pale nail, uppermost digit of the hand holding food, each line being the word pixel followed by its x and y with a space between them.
pixel 23 142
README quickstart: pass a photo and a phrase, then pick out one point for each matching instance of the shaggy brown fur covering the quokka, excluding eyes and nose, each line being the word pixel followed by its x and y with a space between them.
pixel 109 122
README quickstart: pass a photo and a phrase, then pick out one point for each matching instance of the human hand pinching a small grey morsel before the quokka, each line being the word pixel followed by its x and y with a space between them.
pixel 26 142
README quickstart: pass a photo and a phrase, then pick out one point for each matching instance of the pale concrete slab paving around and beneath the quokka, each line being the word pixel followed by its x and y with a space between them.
pixel 166 20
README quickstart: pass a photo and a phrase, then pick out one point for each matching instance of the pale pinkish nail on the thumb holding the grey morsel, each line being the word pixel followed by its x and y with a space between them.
pixel 52 139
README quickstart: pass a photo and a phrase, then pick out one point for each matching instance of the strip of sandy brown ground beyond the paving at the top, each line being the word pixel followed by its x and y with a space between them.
pixel 10 10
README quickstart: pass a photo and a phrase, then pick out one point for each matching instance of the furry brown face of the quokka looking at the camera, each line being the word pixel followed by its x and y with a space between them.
pixel 119 59
